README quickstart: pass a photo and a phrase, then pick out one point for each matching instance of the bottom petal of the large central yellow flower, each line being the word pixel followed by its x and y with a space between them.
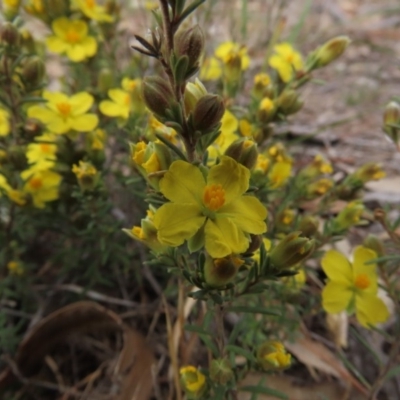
pixel 222 237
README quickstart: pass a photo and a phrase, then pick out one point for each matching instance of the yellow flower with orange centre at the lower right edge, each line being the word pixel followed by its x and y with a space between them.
pixel 353 286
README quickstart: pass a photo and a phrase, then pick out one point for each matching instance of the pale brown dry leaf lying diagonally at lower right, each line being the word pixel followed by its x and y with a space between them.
pixel 315 355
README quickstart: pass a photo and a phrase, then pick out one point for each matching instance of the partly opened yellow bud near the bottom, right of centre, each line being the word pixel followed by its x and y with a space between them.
pixel 272 355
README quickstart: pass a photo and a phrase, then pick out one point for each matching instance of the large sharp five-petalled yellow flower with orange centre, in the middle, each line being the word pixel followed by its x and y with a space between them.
pixel 215 206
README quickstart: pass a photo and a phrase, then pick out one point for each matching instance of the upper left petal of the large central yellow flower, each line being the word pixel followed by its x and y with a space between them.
pixel 183 183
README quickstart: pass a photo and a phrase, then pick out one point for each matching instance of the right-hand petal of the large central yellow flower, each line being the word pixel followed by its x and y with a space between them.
pixel 247 213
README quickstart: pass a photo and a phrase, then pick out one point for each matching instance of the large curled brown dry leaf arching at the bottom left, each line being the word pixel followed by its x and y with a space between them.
pixel 133 371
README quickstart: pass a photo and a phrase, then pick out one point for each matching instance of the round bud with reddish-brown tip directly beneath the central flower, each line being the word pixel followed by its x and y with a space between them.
pixel 218 272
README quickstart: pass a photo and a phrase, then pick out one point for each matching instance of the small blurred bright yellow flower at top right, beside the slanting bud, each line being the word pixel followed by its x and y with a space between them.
pixel 286 61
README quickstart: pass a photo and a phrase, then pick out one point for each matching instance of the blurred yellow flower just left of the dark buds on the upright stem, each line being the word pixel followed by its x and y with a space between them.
pixel 124 100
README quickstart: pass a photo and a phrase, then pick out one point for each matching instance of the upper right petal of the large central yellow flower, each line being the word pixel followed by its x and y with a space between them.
pixel 233 177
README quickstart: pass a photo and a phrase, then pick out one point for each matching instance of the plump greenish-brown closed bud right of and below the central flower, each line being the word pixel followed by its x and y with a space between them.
pixel 291 250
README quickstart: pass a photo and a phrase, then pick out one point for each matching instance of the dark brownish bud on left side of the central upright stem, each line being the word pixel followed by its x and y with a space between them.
pixel 157 95
